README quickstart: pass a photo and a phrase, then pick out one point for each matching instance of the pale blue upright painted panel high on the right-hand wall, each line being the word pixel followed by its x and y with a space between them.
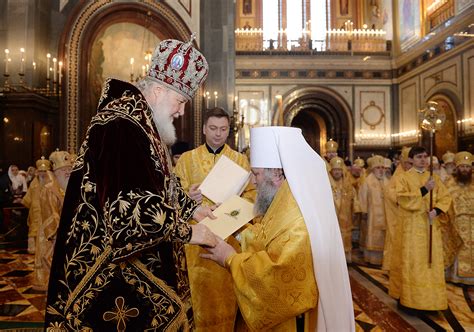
pixel 409 23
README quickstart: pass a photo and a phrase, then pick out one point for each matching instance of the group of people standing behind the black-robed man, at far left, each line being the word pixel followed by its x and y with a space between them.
pixel 41 190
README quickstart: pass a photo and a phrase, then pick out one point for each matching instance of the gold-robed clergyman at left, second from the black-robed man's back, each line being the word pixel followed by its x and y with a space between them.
pixel 32 201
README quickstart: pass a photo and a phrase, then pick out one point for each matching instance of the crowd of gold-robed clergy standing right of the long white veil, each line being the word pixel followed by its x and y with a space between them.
pixel 411 216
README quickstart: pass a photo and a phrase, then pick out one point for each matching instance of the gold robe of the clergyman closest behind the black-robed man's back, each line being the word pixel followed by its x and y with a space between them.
pixel 51 202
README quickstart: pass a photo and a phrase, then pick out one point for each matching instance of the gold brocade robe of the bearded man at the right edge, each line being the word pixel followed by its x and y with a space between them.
pixel 462 215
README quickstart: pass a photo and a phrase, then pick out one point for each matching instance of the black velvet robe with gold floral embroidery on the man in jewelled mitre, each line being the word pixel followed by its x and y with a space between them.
pixel 119 262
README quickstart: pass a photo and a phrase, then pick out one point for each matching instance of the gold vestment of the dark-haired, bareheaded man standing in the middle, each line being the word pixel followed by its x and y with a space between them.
pixel 214 302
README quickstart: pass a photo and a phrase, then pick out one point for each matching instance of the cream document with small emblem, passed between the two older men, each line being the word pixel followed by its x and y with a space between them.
pixel 231 215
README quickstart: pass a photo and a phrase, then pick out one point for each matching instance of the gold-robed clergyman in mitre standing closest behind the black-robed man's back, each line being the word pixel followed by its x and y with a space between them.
pixel 51 202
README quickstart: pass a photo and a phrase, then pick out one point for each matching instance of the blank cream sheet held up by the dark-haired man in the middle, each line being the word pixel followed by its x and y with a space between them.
pixel 224 180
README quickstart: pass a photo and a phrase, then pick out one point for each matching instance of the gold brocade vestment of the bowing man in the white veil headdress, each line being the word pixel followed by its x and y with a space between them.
pixel 273 276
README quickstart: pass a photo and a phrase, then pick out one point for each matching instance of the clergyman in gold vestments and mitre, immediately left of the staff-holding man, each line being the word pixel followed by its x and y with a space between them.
pixel 371 198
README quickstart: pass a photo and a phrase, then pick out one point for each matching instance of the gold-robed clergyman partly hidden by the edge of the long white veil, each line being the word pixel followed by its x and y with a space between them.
pixel 343 194
